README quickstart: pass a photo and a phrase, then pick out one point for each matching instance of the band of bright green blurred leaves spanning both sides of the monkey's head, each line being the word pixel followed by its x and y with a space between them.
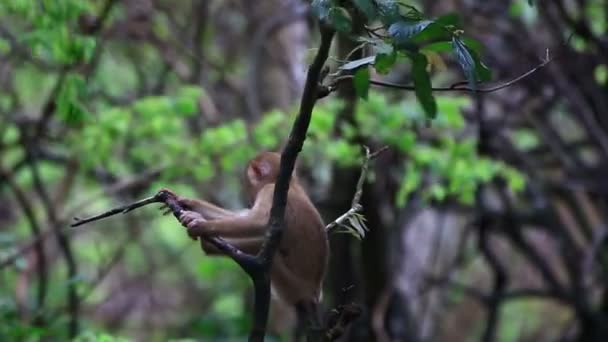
pixel 440 162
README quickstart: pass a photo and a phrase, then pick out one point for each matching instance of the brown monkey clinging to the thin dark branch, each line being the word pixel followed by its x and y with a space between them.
pixel 301 259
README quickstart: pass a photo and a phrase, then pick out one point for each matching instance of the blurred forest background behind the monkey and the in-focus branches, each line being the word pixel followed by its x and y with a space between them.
pixel 487 222
